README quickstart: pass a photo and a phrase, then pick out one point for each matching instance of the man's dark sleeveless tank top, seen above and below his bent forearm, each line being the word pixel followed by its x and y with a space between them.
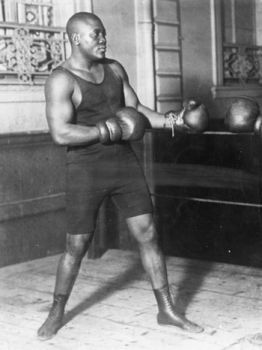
pixel 99 102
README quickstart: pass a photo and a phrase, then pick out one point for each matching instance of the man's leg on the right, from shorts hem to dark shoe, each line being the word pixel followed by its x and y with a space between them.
pixel 143 230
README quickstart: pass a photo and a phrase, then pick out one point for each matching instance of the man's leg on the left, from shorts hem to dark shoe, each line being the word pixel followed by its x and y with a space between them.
pixel 67 271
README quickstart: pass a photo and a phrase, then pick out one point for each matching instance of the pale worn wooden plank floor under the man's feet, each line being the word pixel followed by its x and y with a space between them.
pixel 112 306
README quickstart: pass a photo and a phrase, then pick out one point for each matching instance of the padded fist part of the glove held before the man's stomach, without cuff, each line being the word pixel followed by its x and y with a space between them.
pixel 132 123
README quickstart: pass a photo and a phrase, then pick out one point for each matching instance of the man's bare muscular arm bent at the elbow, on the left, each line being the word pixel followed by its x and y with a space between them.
pixel 59 90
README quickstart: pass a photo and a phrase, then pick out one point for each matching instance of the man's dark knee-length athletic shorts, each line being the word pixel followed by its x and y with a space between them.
pixel 116 174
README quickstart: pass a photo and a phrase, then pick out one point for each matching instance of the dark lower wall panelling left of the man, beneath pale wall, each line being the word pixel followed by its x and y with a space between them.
pixel 32 203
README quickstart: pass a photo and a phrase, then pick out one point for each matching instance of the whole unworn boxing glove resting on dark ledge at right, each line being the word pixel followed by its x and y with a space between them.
pixel 241 115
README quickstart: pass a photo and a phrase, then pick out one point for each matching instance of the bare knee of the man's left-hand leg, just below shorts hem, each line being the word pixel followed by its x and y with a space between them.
pixel 77 245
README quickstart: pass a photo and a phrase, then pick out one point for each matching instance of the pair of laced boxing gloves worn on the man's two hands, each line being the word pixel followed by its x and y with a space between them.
pixel 130 125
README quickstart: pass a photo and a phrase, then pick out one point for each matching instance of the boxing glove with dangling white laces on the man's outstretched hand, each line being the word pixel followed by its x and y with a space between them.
pixel 192 118
